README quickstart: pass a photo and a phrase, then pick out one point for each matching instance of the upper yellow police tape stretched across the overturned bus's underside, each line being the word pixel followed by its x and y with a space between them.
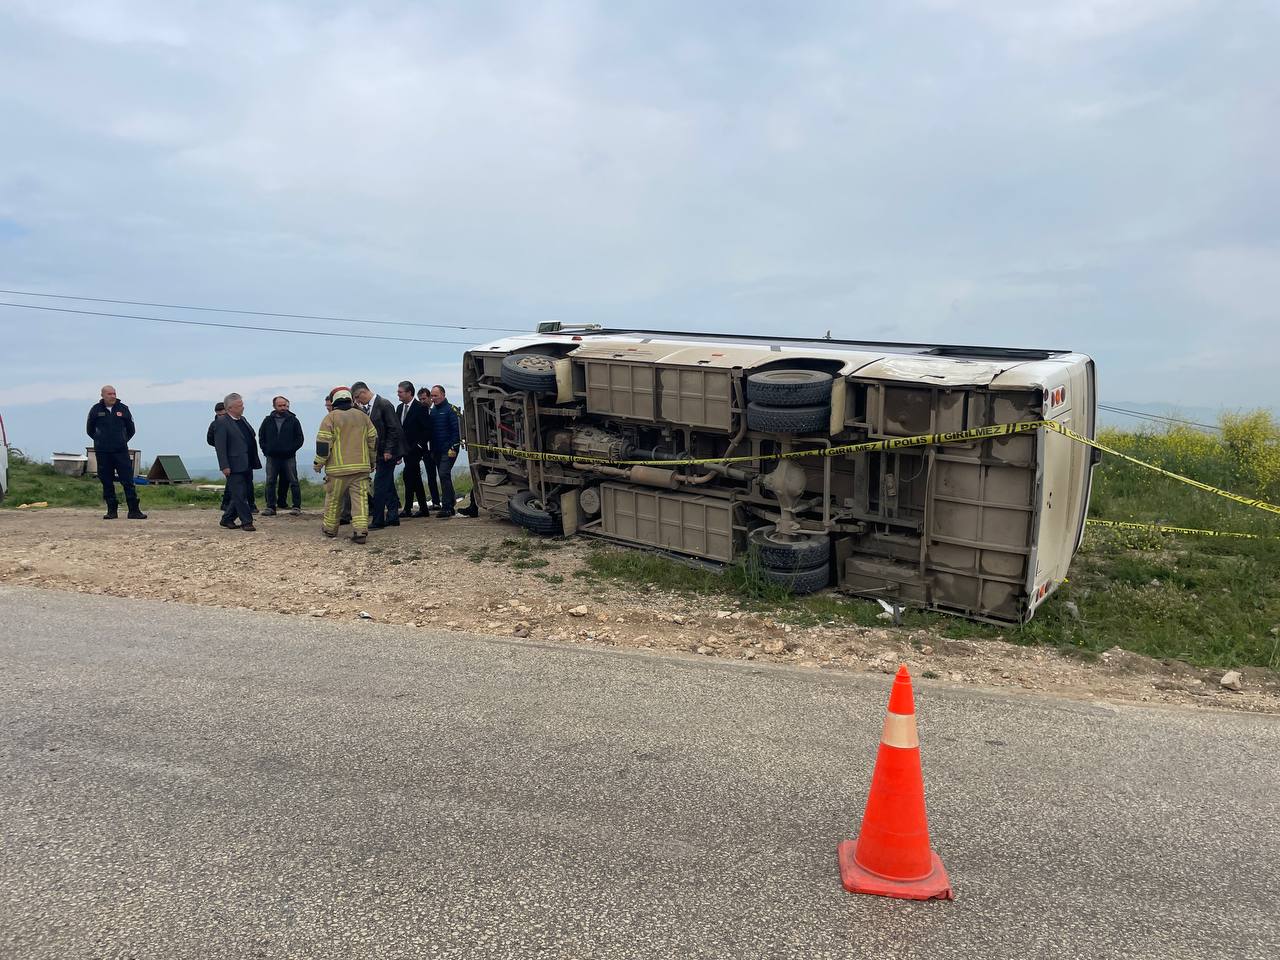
pixel 980 433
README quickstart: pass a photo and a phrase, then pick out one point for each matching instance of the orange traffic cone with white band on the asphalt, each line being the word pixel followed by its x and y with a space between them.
pixel 893 856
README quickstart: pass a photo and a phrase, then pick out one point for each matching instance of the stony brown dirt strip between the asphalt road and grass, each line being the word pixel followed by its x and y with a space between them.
pixel 432 574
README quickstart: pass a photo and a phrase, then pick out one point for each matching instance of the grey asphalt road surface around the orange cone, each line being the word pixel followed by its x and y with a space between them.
pixel 198 783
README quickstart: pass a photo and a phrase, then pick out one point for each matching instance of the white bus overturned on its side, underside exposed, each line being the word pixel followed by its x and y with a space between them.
pixel 720 447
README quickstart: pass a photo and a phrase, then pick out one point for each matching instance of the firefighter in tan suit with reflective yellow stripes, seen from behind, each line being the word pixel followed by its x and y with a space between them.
pixel 346 447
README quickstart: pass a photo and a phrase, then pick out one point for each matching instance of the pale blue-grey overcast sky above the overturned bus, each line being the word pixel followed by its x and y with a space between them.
pixel 1099 175
